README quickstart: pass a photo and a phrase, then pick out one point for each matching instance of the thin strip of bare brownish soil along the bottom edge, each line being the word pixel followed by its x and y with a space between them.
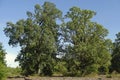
pixel 62 78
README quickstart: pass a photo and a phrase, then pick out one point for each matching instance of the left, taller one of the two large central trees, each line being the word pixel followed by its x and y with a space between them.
pixel 37 37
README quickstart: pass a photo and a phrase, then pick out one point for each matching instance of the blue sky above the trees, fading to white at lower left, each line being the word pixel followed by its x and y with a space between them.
pixel 108 15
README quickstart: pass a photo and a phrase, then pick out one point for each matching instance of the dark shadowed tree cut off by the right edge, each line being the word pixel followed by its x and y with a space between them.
pixel 116 54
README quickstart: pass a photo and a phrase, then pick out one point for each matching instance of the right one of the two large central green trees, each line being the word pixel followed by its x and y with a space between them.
pixel 88 49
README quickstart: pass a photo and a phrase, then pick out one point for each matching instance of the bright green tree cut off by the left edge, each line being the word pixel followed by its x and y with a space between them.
pixel 2 63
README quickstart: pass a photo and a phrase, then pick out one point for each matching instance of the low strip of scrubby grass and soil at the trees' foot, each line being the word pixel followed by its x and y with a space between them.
pixel 16 72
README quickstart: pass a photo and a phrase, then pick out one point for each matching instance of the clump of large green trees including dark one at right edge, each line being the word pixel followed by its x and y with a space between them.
pixel 70 45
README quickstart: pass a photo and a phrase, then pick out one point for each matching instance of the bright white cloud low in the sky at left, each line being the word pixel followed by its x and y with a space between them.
pixel 10 58
